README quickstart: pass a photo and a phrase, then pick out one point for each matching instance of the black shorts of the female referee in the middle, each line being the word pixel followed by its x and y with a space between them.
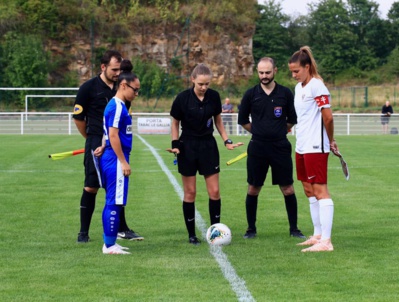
pixel 198 154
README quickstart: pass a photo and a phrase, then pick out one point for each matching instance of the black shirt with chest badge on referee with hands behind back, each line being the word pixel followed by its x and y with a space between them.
pixel 269 113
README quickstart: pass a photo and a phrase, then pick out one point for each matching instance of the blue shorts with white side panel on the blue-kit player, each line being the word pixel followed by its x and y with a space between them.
pixel 114 182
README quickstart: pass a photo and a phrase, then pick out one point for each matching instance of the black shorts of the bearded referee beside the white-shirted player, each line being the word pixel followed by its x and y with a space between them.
pixel 277 155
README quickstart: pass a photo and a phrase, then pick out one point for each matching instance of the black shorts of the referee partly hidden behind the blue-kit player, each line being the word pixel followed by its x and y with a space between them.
pixel 91 177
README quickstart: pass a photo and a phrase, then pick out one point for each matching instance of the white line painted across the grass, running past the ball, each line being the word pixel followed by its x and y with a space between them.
pixel 236 283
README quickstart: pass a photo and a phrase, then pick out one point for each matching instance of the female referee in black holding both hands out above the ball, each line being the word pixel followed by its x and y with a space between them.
pixel 198 111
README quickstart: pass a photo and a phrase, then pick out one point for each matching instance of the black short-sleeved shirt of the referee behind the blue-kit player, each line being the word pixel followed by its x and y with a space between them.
pixel 91 100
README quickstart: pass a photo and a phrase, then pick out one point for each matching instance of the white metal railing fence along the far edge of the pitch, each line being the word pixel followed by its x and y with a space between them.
pixel 61 123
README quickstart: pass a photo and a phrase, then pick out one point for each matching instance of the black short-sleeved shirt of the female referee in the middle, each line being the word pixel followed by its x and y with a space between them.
pixel 196 116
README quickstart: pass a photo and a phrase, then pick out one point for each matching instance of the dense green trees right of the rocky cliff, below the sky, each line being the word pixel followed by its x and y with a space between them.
pixel 350 39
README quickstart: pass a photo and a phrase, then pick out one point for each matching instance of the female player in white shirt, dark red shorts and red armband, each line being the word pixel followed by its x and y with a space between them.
pixel 314 140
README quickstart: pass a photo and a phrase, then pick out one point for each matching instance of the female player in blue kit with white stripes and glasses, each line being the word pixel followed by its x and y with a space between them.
pixel 114 162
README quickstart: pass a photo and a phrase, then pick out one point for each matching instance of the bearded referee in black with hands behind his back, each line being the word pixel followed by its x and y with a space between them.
pixel 267 112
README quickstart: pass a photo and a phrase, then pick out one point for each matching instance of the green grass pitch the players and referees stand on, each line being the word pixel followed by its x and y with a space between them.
pixel 41 261
